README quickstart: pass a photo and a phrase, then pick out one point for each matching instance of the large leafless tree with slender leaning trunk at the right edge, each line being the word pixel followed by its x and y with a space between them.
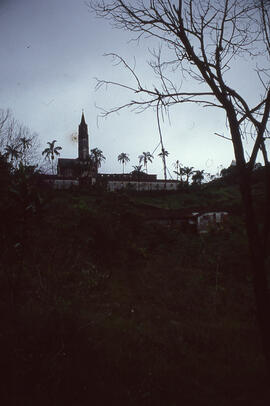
pixel 204 39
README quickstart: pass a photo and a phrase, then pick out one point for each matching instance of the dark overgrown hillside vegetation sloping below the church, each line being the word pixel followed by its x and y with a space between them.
pixel 99 308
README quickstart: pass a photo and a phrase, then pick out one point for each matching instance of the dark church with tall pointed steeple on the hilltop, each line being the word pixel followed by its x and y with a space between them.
pixel 81 167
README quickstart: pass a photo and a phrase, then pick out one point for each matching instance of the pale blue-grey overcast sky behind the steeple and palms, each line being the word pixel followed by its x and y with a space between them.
pixel 51 53
